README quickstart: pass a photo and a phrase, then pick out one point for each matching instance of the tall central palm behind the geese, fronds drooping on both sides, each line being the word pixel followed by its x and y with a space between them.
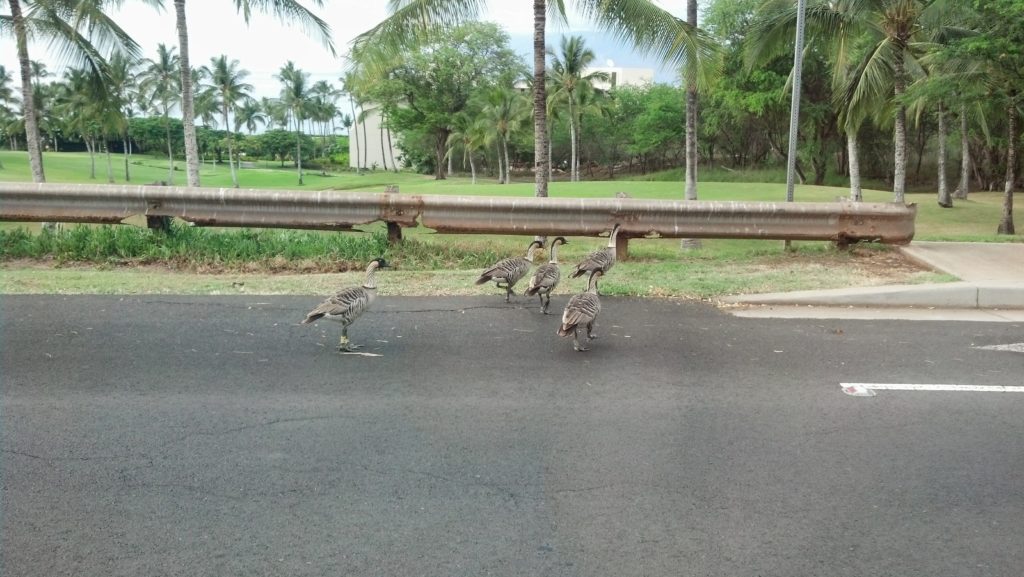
pixel 648 27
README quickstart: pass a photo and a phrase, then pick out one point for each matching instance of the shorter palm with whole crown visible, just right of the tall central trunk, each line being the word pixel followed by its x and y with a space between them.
pixel 569 72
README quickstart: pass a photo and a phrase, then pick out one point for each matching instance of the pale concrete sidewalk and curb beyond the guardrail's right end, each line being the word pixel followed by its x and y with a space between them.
pixel 991 288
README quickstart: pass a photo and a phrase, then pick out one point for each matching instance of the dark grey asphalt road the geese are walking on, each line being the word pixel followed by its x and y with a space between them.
pixel 216 436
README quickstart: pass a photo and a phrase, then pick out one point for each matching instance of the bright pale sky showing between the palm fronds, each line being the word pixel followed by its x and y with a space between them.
pixel 265 46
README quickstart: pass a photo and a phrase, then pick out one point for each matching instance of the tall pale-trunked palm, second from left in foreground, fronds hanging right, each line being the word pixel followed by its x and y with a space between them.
pixel 285 11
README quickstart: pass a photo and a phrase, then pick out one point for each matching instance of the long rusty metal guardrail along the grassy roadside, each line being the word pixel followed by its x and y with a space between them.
pixel 841 222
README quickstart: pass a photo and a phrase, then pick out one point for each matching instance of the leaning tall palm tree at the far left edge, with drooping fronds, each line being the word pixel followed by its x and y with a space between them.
pixel 79 30
